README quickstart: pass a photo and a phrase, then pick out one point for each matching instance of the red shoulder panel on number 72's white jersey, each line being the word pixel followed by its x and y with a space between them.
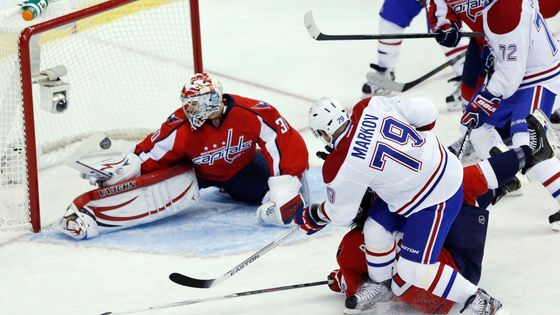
pixel 504 16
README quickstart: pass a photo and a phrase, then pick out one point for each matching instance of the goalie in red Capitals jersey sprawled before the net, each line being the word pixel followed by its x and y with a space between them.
pixel 240 145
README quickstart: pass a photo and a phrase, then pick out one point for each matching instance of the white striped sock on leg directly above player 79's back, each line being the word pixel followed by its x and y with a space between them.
pixel 388 50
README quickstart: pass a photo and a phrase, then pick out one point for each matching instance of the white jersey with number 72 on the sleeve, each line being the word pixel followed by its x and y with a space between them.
pixel 525 51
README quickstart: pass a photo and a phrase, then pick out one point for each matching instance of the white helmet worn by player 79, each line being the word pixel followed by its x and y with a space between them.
pixel 327 114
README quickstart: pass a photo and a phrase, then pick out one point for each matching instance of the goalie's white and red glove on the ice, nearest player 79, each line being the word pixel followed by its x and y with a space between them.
pixel 281 202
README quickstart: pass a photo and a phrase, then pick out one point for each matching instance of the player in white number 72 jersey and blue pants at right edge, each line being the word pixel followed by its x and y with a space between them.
pixel 526 77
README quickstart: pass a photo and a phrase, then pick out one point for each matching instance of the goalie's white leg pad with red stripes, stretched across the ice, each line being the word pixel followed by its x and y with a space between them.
pixel 129 203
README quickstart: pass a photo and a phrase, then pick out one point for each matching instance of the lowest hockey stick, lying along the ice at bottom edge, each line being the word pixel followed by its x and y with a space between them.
pixel 222 297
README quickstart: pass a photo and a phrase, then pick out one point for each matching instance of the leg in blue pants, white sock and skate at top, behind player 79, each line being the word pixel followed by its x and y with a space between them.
pixel 395 16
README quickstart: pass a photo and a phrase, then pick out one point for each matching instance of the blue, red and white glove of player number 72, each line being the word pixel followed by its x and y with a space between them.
pixel 483 105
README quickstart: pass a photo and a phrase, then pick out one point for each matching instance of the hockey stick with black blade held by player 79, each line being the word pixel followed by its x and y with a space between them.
pixel 207 283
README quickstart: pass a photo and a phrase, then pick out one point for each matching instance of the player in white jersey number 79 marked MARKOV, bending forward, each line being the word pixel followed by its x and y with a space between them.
pixel 387 145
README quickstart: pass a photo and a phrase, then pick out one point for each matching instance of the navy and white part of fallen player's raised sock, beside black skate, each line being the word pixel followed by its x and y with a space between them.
pixel 505 165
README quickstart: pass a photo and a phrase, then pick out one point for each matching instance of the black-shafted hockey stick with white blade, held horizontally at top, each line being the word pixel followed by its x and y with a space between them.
pixel 317 35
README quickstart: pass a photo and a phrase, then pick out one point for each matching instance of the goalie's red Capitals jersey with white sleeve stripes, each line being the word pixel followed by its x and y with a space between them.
pixel 222 147
